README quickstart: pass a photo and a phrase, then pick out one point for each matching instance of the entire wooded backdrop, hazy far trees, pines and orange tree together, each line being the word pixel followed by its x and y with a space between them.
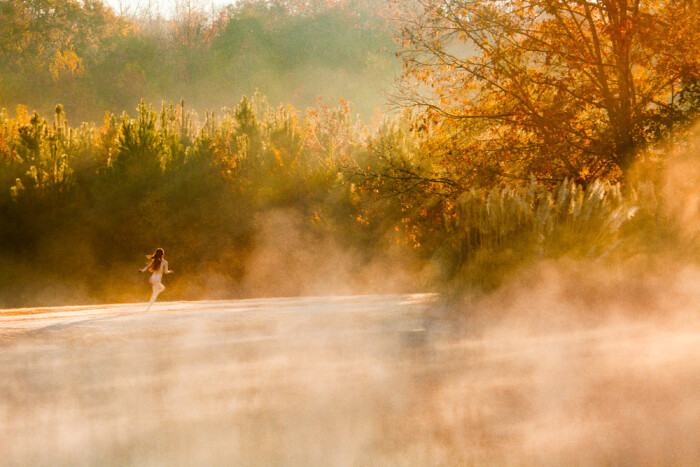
pixel 477 176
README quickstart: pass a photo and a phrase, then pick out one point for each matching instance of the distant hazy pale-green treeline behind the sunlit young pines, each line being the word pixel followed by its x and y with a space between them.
pixel 81 54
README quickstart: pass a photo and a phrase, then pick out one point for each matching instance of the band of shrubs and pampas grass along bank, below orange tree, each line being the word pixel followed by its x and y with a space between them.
pixel 256 200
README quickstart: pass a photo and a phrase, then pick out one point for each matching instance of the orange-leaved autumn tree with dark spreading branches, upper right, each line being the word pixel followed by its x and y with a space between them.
pixel 555 88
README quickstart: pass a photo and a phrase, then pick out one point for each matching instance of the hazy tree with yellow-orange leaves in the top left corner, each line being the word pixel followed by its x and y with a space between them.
pixel 49 50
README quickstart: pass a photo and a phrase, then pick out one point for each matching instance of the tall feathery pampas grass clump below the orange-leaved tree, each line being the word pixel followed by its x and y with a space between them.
pixel 494 232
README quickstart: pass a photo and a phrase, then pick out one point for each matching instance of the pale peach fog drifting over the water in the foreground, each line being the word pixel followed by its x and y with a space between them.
pixel 383 379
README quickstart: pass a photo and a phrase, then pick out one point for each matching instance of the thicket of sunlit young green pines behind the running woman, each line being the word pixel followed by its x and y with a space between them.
pixel 109 194
